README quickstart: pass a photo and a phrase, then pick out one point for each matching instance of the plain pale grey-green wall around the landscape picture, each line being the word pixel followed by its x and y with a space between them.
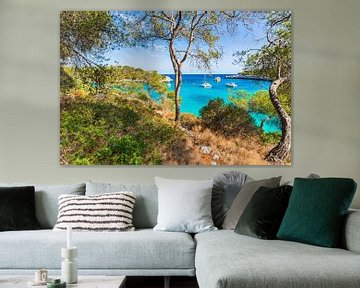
pixel 326 91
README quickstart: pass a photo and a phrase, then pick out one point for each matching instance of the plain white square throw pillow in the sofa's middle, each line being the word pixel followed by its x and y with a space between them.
pixel 184 205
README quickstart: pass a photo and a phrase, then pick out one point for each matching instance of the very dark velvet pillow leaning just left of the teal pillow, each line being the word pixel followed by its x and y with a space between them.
pixel 263 215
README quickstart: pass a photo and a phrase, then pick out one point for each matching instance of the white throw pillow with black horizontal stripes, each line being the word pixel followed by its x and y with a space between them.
pixel 105 212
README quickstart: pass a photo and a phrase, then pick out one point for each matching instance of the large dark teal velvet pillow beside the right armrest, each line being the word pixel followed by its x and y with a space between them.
pixel 316 211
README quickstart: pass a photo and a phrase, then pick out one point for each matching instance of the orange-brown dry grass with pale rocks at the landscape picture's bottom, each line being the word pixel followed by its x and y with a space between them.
pixel 220 150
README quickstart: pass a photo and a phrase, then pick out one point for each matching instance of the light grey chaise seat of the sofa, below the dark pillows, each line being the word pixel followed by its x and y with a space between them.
pixel 226 259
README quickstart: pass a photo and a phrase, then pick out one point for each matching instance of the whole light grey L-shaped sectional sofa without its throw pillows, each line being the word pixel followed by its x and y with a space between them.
pixel 219 259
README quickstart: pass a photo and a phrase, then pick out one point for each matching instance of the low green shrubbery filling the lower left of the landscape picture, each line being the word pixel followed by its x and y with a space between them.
pixel 113 130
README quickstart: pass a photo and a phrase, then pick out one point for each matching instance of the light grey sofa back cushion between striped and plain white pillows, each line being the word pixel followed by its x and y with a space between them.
pixel 146 203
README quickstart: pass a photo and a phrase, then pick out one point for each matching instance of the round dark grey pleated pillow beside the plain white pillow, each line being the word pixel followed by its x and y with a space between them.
pixel 226 187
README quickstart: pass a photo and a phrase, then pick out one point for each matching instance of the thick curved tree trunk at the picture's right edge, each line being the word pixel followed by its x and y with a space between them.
pixel 279 153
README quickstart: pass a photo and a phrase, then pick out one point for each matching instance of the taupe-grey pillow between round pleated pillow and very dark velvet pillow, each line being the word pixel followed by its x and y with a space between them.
pixel 242 199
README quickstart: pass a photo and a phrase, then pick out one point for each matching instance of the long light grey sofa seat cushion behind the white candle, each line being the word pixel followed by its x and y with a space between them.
pixel 137 250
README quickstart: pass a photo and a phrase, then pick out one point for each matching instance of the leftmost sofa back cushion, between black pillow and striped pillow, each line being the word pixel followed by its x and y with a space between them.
pixel 46 200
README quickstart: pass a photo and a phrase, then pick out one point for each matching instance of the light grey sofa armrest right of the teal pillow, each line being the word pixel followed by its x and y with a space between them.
pixel 351 234
